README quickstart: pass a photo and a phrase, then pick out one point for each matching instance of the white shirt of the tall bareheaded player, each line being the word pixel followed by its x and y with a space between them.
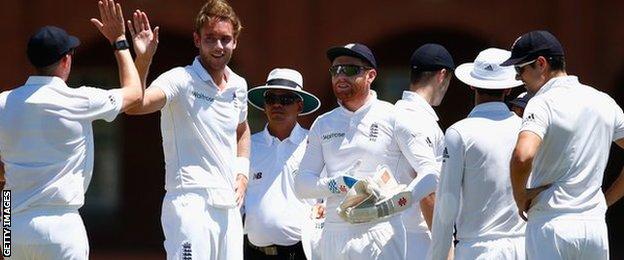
pixel 198 124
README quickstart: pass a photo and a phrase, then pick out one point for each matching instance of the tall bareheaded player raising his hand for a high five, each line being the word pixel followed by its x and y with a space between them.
pixel 205 137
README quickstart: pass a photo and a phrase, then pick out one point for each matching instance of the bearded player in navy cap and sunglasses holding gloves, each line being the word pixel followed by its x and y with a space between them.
pixel 361 128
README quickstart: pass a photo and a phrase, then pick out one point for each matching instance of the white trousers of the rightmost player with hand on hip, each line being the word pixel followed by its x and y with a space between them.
pixel 568 239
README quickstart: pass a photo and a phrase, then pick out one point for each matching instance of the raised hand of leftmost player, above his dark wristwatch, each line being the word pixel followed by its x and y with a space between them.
pixel 111 24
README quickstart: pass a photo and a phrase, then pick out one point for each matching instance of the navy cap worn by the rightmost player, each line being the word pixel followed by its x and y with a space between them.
pixel 531 45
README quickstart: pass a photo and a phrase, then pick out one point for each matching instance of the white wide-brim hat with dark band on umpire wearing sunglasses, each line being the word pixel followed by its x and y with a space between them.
pixel 286 79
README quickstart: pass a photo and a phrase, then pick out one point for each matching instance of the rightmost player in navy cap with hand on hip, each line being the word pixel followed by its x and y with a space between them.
pixel 566 134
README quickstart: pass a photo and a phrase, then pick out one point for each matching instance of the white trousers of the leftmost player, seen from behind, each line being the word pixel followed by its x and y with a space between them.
pixel 48 234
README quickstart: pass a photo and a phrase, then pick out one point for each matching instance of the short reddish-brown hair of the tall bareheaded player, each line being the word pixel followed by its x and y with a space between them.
pixel 217 10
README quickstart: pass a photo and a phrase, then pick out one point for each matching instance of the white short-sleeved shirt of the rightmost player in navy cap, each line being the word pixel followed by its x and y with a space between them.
pixel 577 124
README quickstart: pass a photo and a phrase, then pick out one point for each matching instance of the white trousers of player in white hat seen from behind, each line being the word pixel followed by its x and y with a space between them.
pixel 508 248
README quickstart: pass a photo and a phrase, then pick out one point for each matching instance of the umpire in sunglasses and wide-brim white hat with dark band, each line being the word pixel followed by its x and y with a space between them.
pixel 274 216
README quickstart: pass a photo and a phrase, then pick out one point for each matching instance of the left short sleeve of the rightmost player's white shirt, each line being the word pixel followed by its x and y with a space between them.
pixel 536 117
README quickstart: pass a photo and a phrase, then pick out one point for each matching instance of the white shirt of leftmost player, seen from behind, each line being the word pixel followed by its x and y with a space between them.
pixel 46 140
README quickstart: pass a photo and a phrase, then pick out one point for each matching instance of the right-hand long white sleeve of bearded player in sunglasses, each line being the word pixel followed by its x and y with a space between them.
pixel 418 148
